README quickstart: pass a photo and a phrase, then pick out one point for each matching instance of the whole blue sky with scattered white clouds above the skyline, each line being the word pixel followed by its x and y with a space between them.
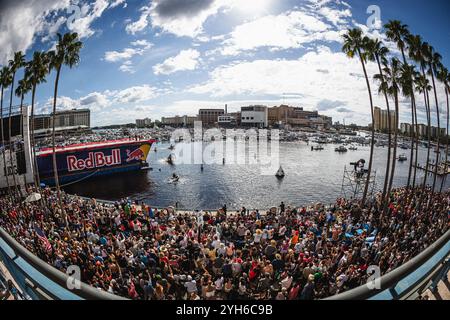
pixel 156 58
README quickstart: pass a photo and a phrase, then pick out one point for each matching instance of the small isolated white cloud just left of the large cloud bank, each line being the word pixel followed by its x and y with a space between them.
pixel 185 60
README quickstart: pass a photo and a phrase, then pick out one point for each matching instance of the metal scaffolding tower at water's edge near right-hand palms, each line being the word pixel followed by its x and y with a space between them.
pixel 353 183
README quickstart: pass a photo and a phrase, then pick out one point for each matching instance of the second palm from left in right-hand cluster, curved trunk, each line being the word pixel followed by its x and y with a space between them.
pixel 378 52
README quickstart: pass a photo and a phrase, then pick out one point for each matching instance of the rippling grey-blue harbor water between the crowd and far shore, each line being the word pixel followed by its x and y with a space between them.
pixel 311 177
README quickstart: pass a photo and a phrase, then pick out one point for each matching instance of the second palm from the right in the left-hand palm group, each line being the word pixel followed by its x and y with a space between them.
pixel 37 70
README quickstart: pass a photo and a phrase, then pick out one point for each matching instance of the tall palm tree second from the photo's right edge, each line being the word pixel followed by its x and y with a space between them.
pixel 433 60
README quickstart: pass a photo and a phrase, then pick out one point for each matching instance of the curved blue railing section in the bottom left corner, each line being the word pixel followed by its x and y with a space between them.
pixel 42 281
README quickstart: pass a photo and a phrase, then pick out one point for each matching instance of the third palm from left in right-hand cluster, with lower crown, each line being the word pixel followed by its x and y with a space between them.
pixel 392 77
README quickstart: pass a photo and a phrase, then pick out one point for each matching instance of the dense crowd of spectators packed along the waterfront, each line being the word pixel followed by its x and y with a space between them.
pixel 140 252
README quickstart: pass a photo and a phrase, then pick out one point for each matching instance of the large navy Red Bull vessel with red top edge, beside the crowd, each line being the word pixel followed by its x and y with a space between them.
pixel 81 161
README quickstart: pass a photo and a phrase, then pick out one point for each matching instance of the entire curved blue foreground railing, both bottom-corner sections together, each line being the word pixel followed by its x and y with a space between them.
pixel 46 282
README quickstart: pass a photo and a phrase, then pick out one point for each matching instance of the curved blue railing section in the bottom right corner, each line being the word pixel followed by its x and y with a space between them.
pixel 408 279
